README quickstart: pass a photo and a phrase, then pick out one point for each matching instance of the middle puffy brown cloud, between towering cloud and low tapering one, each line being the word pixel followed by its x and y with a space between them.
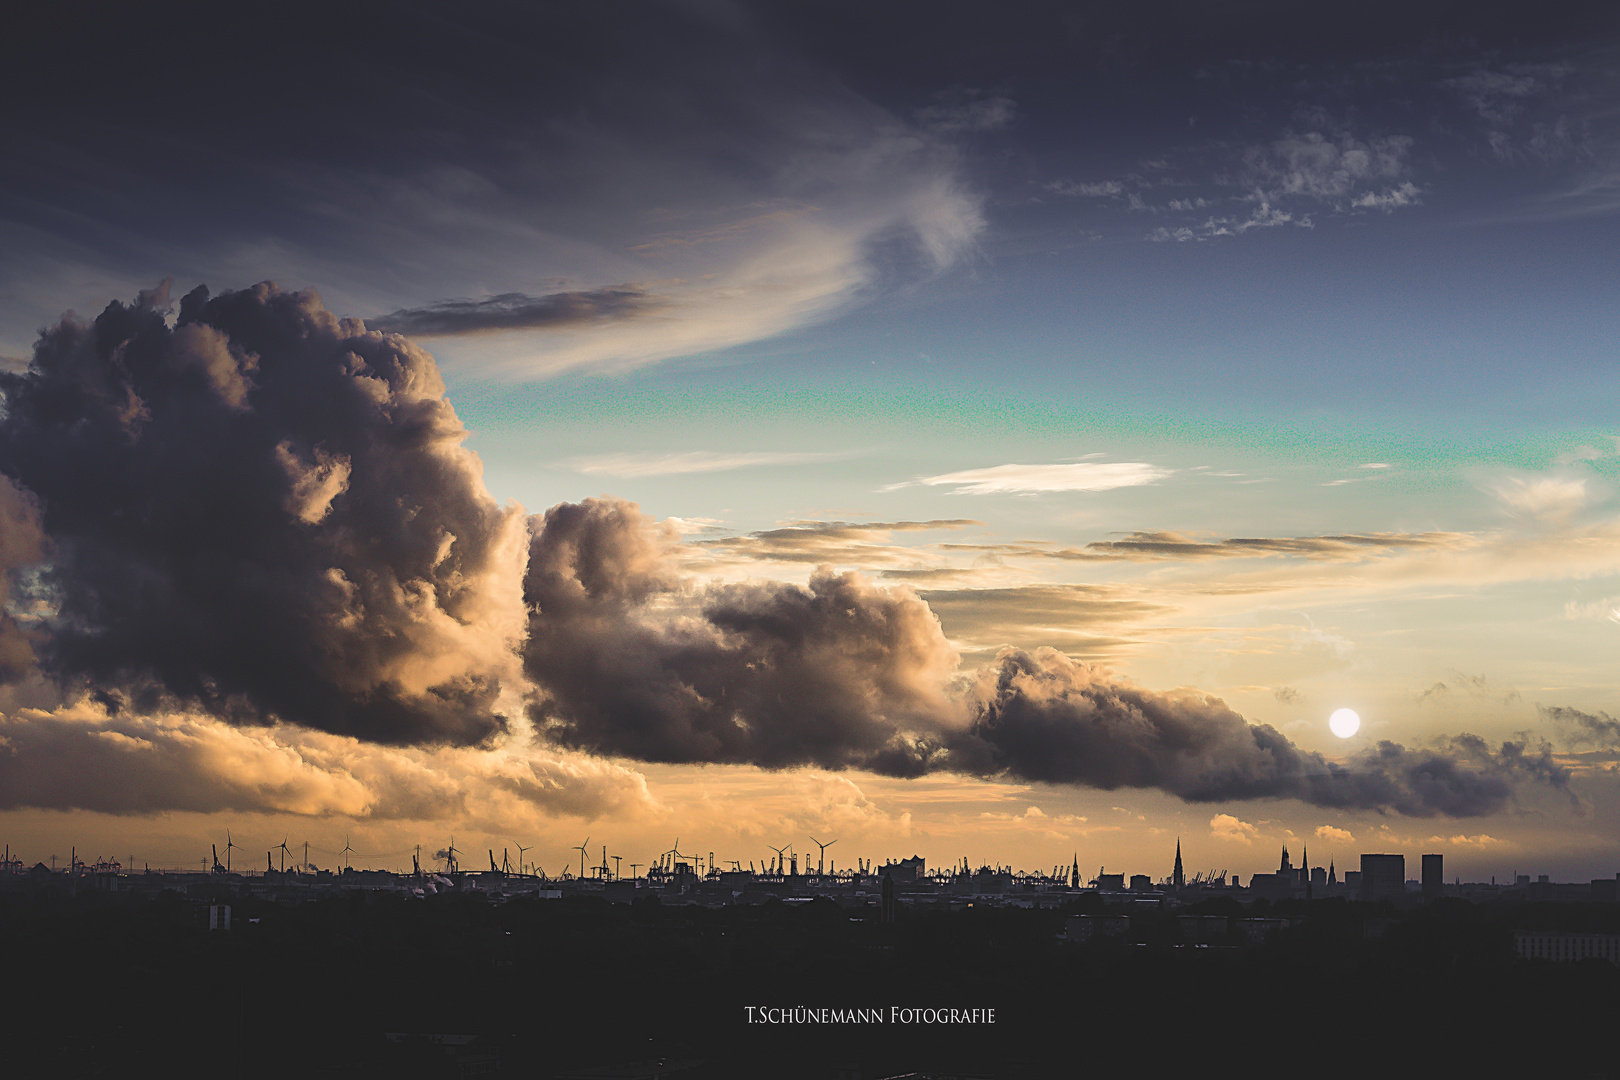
pixel 840 674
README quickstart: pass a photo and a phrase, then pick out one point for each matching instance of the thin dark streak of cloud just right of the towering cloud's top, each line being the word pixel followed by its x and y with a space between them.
pixel 519 312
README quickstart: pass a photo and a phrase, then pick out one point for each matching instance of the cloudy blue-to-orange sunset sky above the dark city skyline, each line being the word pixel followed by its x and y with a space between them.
pixel 983 435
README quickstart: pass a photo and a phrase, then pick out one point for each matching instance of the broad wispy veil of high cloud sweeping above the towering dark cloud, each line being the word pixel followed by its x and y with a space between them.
pixel 696 182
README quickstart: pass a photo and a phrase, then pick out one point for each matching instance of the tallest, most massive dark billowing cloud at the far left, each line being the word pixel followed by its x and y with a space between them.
pixel 268 512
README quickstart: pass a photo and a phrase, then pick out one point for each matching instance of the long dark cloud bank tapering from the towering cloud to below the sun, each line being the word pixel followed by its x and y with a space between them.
pixel 845 674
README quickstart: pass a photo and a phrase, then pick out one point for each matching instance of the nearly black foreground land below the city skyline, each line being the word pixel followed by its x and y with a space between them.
pixel 359 987
